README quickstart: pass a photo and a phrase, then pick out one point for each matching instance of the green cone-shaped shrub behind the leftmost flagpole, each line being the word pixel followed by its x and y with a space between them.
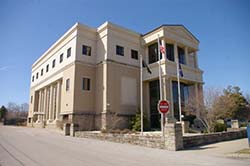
pixel 135 122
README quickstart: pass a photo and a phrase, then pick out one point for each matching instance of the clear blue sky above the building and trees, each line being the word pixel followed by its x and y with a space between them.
pixel 29 27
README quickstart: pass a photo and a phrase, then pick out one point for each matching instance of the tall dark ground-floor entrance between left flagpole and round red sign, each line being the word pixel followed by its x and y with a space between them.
pixel 154 94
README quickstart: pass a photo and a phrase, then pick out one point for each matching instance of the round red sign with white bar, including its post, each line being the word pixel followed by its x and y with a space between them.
pixel 163 108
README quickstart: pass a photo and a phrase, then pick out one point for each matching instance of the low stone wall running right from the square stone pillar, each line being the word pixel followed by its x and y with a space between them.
pixel 197 140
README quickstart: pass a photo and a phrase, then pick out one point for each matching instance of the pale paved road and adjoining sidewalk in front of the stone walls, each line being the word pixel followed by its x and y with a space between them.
pixel 32 147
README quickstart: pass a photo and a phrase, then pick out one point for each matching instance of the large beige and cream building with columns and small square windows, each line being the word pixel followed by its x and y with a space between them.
pixel 91 76
